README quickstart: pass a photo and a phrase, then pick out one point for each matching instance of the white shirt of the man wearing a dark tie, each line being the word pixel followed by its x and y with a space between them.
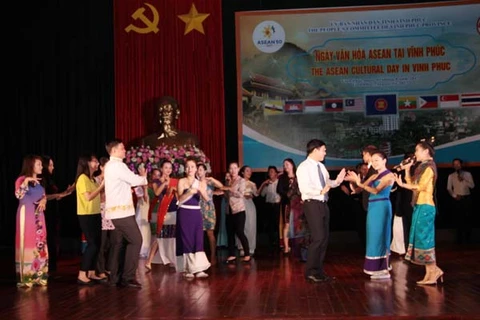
pixel 309 180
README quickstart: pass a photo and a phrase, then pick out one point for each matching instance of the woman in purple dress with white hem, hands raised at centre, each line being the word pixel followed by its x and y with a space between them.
pixel 191 258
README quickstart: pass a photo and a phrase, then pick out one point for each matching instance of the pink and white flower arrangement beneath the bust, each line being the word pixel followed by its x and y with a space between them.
pixel 153 158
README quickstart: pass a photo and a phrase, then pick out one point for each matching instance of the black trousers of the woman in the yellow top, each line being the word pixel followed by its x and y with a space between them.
pixel 91 225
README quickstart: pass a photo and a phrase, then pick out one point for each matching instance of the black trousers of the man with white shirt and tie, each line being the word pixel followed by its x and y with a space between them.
pixel 318 219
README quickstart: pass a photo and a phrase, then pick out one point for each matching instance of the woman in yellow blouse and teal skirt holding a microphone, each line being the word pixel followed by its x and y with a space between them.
pixel 421 247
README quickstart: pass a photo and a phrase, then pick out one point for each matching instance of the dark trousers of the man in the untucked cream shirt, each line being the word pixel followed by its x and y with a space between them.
pixel 126 233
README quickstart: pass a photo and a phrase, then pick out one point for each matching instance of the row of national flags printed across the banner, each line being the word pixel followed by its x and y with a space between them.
pixel 373 105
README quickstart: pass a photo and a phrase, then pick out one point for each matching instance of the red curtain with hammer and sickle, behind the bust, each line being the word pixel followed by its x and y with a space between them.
pixel 188 67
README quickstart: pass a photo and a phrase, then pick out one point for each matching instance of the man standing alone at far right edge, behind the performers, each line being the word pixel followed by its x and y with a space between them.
pixel 458 185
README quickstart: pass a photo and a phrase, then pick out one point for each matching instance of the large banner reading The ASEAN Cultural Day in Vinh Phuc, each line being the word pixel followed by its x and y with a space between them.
pixel 356 76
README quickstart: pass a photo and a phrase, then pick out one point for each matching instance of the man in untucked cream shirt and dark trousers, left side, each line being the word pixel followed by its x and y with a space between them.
pixel 119 181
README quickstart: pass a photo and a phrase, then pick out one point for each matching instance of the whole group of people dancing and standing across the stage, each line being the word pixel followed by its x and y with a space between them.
pixel 178 211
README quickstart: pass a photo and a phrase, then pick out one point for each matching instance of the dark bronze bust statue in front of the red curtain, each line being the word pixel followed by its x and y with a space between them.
pixel 168 112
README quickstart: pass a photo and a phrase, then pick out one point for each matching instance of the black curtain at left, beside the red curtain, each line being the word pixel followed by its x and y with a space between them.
pixel 60 92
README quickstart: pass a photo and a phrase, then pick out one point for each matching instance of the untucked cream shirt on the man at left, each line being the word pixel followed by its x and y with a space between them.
pixel 119 181
